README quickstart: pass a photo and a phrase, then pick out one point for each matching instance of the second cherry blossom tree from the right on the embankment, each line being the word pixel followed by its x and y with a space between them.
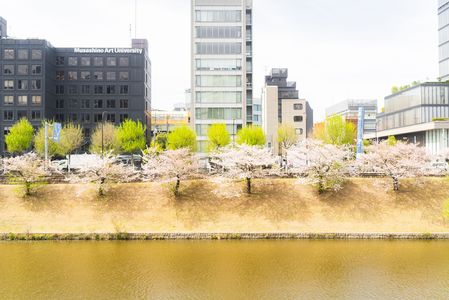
pixel 321 165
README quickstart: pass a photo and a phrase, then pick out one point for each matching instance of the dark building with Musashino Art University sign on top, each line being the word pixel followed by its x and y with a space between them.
pixel 80 85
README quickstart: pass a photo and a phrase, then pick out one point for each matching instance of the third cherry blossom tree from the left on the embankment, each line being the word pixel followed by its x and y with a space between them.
pixel 172 165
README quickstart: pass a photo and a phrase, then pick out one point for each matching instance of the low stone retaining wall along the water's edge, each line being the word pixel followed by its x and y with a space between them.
pixel 219 236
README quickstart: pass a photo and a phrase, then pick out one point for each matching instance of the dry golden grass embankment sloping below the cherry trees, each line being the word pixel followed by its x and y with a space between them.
pixel 281 205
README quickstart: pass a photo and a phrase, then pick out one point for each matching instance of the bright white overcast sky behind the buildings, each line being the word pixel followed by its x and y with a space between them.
pixel 335 50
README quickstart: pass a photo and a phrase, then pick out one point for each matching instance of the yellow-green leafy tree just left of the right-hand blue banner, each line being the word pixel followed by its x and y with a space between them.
pixel 338 132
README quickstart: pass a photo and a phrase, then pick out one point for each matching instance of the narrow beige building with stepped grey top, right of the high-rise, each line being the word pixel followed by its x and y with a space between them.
pixel 282 105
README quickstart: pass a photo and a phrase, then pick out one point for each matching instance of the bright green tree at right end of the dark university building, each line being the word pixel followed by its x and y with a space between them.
pixel 131 135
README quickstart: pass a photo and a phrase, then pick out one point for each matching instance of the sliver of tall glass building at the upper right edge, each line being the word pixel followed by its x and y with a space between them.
pixel 443 31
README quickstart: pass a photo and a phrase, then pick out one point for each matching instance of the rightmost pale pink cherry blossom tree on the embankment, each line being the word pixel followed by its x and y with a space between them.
pixel 397 161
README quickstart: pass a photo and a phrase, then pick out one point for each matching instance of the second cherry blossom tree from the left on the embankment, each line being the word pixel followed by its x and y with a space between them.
pixel 104 171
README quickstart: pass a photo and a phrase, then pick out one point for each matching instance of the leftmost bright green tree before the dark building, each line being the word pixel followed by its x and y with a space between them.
pixel 20 137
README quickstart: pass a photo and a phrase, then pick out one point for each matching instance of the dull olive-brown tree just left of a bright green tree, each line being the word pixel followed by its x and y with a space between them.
pixel 111 144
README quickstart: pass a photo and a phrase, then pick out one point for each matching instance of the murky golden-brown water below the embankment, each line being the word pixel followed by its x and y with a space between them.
pixel 225 270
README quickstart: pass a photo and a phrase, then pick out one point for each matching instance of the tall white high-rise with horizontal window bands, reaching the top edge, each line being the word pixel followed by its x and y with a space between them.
pixel 221 90
